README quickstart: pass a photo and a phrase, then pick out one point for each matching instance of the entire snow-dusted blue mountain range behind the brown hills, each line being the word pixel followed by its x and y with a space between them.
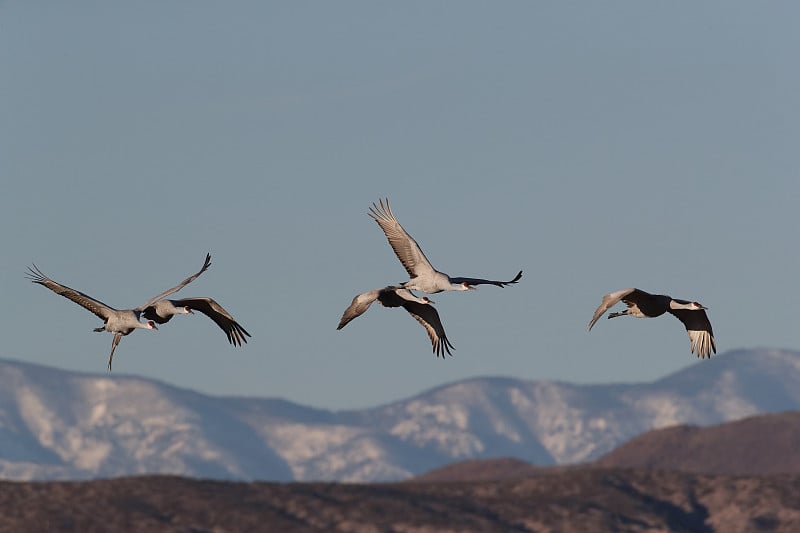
pixel 62 425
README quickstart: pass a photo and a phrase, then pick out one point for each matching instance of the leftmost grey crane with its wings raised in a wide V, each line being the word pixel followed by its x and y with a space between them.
pixel 120 322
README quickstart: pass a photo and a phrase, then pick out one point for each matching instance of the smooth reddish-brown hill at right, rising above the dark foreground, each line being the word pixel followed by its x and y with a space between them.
pixel 764 444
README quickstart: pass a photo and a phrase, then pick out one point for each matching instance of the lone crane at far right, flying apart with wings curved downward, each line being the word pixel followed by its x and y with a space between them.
pixel 644 305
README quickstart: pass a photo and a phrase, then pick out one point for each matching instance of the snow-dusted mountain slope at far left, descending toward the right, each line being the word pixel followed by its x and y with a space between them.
pixel 71 426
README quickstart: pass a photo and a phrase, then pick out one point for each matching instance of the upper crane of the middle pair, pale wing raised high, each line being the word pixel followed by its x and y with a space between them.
pixel 424 277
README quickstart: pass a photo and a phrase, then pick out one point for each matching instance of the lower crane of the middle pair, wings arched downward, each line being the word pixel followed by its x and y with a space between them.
pixel 417 307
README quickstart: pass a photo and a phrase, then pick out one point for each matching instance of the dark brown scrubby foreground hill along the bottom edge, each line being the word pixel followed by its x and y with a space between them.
pixel 579 500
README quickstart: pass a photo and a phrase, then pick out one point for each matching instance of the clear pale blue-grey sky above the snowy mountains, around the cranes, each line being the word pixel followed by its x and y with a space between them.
pixel 595 146
